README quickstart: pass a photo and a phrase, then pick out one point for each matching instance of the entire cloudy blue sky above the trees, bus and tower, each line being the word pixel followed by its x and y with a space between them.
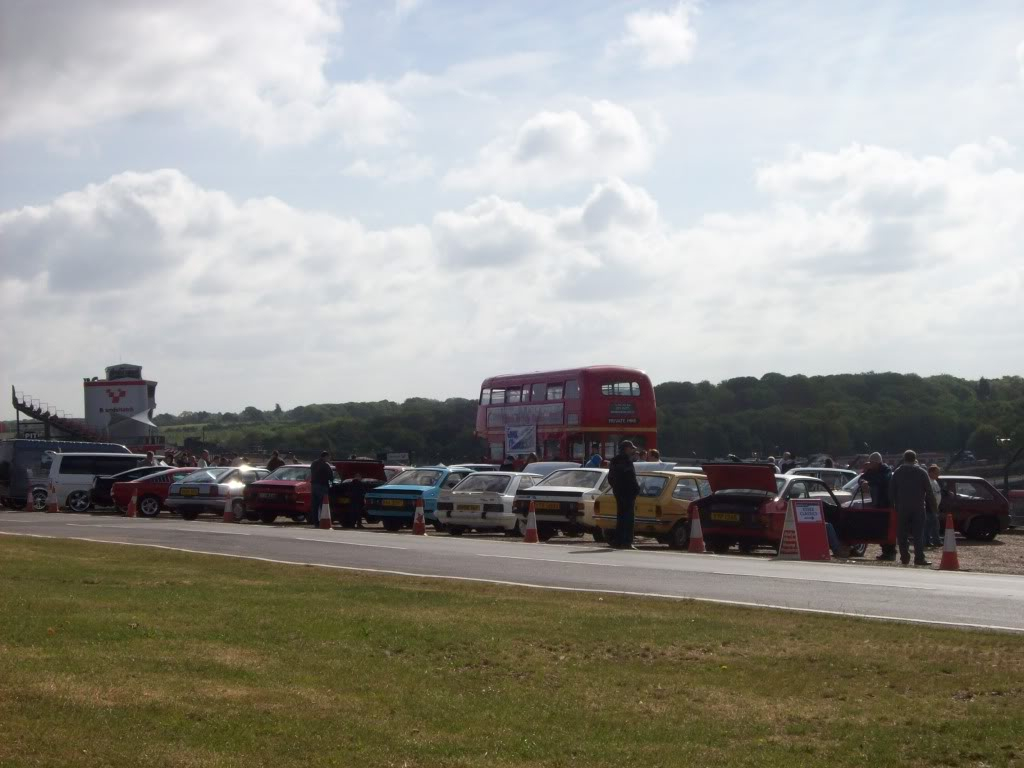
pixel 307 201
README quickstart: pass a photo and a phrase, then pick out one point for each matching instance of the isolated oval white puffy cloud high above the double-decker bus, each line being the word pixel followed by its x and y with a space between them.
pixel 553 149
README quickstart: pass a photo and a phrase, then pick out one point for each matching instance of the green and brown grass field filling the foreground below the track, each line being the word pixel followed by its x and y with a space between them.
pixel 127 657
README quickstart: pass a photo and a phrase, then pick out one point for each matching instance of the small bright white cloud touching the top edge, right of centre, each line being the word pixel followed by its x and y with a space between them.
pixel 661 39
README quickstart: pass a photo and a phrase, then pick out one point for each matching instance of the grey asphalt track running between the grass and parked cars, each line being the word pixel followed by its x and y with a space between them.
pixel 921 595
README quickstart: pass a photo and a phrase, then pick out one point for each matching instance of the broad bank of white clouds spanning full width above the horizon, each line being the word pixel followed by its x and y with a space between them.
pixel 863 259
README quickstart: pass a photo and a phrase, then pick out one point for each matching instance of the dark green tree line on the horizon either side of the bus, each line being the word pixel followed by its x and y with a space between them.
pixel 839 415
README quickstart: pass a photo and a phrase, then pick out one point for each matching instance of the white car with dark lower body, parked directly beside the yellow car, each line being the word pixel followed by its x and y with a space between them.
pixel 564 501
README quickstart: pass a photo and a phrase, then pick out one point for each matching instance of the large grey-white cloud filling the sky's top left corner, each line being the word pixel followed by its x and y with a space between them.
pixel 254 68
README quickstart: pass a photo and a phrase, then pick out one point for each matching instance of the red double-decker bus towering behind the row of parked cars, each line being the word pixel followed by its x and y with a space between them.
pixel 561 415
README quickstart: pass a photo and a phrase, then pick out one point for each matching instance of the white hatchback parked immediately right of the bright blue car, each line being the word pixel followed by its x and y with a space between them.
pixel 484 502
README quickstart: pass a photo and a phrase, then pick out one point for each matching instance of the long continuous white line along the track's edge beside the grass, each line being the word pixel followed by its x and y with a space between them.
pixel 714 601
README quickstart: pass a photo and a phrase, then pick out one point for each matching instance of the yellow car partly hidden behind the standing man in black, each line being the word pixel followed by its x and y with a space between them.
pixel 663 507
